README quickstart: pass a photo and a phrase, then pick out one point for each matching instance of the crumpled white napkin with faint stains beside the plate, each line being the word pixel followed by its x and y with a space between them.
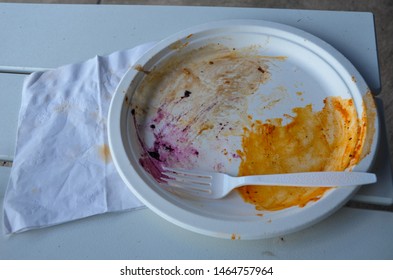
pixel 62 169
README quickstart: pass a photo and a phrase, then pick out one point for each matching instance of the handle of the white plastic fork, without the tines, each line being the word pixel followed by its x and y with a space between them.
pixel 310 179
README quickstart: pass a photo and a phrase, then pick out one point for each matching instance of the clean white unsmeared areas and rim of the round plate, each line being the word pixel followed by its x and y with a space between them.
pixel 310 66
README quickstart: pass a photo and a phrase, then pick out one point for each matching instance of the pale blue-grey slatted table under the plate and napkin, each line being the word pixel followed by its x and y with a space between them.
pixel 38 37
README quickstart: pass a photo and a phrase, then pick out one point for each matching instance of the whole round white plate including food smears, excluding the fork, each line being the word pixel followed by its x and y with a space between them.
pixel 242 97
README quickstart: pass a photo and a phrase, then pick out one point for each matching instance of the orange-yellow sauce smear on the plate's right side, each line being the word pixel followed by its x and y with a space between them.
pixel 326 140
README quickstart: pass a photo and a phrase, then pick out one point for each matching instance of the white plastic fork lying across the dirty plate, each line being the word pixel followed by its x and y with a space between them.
pixel 216 185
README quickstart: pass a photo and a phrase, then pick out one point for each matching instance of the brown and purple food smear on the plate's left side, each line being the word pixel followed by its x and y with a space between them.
pixel 183 104
